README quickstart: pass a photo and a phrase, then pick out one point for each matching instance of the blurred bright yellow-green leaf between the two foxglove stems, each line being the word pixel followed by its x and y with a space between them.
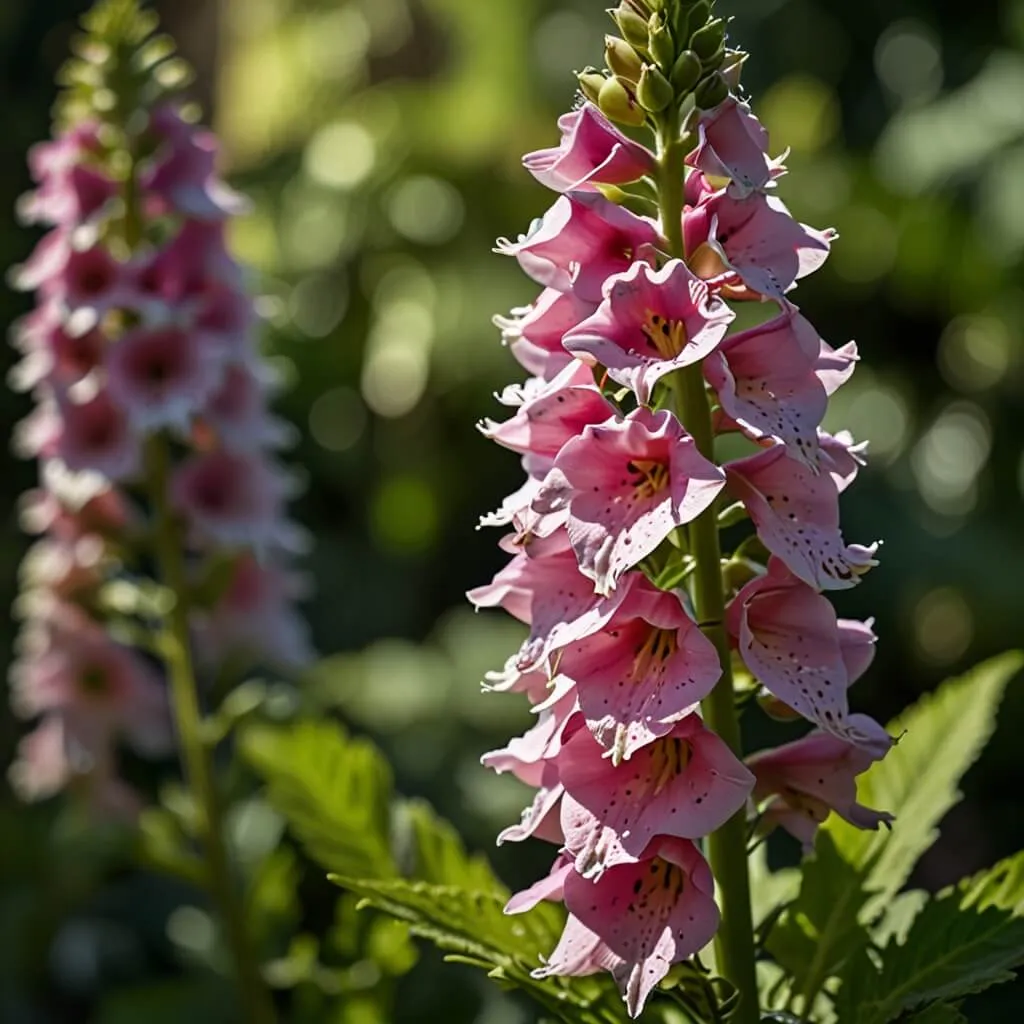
pixel 335 792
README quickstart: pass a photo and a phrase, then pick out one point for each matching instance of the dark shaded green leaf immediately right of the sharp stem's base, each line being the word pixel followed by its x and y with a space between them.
pixel 821 929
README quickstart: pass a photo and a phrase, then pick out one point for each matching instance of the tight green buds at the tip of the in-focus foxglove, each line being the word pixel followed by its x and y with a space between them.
pixel 670 56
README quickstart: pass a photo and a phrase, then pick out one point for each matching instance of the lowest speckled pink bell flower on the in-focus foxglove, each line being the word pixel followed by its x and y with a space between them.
pixel 637 921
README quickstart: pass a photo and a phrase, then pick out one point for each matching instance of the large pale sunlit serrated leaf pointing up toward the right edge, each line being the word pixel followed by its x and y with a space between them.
pixel 943 736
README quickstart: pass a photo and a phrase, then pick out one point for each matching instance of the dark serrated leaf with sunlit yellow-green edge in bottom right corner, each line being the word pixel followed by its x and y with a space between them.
pixel 965 941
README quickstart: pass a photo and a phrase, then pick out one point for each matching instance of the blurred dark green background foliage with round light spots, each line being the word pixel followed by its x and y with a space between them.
pixel 381 141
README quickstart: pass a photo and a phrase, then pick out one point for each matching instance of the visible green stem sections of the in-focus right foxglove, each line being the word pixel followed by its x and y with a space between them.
pixel 728 846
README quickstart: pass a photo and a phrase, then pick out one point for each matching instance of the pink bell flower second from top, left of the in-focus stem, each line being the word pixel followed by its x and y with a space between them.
pixel 581 242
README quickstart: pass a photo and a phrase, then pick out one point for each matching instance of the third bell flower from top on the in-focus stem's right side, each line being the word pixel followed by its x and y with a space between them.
pixel 769 382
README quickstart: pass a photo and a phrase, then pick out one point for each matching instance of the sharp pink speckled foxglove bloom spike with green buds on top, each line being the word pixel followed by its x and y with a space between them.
pixel 629 778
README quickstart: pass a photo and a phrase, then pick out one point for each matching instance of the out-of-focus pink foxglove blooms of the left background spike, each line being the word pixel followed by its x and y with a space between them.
pixel 150 392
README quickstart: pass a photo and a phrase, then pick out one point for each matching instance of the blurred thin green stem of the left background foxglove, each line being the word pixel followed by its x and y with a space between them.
pixel 257 1003
